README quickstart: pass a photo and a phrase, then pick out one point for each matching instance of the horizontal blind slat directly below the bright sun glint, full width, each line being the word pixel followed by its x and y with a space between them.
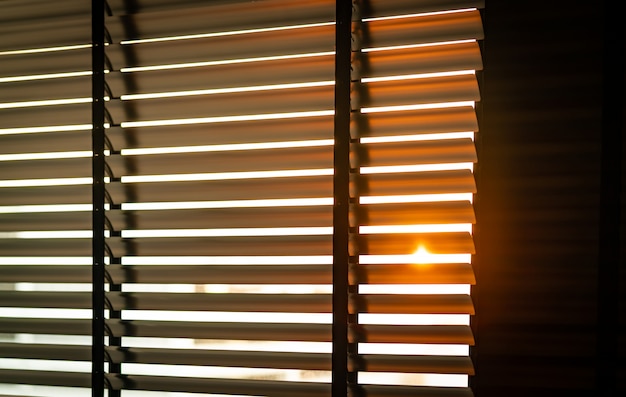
pixel 452 273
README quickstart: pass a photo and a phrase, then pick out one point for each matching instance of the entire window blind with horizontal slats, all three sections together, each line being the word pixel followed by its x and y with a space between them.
pixel 219 208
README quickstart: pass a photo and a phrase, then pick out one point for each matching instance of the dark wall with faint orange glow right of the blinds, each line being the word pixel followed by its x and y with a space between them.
pixel 549 92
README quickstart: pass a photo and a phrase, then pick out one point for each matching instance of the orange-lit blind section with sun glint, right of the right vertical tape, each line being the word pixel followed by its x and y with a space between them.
pixel 414 88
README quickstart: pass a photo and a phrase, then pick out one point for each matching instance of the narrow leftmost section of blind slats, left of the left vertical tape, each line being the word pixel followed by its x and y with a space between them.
pixel 45 198
